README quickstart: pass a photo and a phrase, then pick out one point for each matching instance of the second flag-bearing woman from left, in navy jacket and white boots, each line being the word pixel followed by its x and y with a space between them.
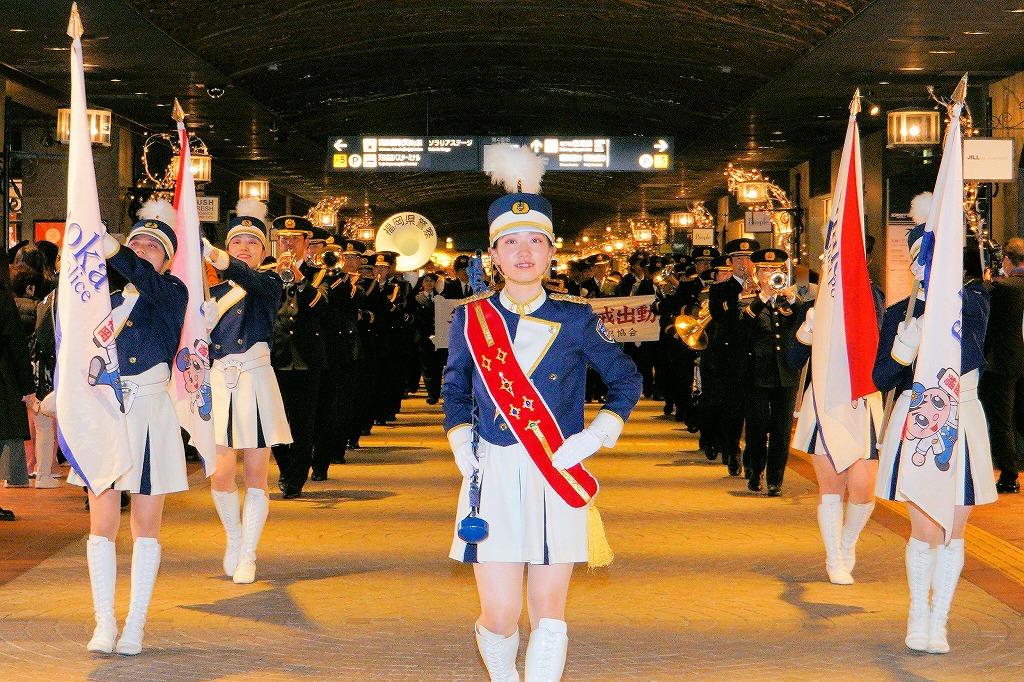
pixel 248 413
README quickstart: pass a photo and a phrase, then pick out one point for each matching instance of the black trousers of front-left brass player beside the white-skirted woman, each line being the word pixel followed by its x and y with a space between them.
pixel 298 392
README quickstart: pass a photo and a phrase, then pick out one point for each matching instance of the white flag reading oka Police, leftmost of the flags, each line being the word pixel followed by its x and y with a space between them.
pixel 92 427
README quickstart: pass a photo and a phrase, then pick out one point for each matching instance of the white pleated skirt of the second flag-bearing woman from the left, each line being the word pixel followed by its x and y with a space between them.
pixel 251 414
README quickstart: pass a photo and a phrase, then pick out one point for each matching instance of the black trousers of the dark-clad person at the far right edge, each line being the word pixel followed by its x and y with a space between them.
pixel 1002 397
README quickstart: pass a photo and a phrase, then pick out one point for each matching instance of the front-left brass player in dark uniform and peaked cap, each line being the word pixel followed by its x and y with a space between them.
pixel 300 355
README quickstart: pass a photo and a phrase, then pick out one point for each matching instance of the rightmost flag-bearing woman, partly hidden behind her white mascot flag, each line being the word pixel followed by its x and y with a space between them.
pixel 934 561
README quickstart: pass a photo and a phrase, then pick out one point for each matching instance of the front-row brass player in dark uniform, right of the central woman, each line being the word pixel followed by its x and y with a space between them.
pixel 770 323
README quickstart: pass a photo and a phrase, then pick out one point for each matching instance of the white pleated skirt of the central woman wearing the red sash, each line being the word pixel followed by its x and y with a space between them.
pixel 528 522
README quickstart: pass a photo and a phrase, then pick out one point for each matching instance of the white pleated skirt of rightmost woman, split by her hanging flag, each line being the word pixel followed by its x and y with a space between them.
pixel 975 478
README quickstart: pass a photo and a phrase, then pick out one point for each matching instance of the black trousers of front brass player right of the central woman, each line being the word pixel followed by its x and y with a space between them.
pixel 770 427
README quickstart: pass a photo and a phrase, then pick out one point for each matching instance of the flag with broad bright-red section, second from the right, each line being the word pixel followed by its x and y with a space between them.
pixel 845 333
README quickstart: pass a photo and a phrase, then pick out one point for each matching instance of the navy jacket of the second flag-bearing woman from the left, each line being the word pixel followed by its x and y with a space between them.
pixel 247 309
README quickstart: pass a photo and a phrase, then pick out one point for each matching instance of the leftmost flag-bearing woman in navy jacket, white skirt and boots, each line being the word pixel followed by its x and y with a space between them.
pixel 149 314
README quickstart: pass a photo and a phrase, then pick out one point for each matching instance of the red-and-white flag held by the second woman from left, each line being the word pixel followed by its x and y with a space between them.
pixel 190 386
